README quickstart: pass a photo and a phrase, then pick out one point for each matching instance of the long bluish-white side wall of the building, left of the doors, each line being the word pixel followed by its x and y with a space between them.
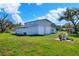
pixel 27 31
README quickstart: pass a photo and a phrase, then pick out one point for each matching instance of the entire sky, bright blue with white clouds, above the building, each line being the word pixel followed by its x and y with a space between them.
pixel 24 12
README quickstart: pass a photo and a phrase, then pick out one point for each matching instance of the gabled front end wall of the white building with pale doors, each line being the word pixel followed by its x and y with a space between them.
pixel 44 28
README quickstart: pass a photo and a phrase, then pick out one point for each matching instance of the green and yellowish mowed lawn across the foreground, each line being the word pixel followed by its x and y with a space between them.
pixel 12 45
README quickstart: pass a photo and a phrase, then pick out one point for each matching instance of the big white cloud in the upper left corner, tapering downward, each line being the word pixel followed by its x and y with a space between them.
pixel 12 9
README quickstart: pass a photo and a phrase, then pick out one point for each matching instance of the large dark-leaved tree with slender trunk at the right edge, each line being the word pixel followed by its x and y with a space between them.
pixel 71 15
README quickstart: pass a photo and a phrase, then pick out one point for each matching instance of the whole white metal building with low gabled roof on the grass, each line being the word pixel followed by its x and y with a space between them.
pixel 38 27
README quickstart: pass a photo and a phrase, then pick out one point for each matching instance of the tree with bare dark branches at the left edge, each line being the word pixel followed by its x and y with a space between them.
pixel 5 24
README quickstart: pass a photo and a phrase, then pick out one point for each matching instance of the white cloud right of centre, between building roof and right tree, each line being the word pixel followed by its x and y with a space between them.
pixel 53 15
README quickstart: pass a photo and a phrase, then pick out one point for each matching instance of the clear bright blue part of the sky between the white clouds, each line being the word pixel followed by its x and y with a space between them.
pixel 32 11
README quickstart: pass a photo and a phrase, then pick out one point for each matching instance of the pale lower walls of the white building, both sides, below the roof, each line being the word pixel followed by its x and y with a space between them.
pixel 35 30
